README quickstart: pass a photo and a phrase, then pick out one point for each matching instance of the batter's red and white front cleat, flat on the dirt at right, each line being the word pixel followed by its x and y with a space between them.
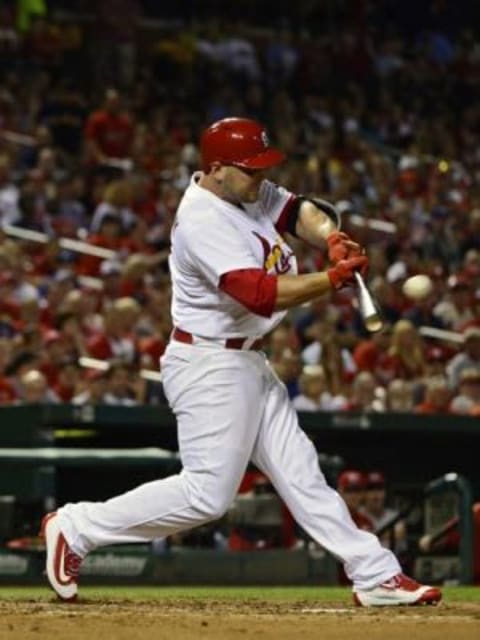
pixel 399 590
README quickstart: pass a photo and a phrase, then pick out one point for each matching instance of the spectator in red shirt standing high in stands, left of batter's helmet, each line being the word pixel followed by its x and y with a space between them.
pixel 109 131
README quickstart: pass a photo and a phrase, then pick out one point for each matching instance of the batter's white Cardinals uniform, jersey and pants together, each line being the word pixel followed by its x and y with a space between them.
pixel 230 405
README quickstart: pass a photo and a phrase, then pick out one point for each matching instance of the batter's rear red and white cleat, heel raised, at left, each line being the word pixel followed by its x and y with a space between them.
pixel 63 565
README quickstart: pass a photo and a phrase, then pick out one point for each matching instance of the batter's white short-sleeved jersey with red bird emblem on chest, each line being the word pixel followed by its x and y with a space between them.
pixel 211 237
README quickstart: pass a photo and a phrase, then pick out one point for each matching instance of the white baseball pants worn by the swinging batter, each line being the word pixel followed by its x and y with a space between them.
pixel 230 408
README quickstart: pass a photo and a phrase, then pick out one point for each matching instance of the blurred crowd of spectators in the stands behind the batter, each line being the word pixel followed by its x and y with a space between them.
pixel 101 106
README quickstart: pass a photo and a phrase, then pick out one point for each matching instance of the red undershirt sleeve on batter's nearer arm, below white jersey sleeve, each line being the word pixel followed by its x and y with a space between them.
pixel 253 288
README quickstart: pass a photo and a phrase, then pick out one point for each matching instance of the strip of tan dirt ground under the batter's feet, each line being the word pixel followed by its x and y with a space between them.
pixel 194 620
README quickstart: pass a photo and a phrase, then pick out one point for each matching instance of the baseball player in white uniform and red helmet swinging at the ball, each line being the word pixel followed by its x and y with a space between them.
pixel 234 277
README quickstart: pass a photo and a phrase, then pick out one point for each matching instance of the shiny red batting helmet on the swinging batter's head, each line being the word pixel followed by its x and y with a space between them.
pixel 239 142
